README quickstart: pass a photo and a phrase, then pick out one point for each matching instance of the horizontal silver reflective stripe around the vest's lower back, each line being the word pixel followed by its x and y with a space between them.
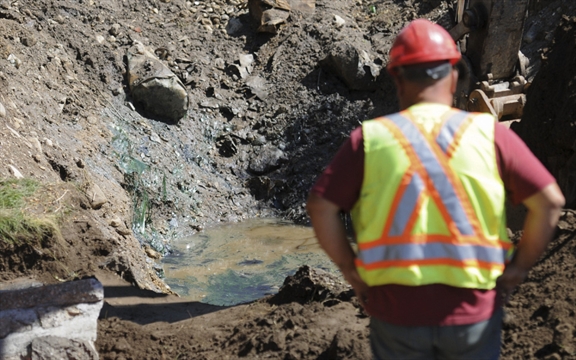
pixel 431 251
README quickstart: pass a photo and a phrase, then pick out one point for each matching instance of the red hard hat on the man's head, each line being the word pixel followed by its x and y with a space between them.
pixel 420 42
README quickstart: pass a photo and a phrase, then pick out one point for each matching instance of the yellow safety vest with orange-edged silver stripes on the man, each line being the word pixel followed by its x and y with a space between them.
pixel 431 207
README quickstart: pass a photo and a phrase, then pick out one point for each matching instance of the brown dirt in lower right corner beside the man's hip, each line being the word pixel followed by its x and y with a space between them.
pixel 540 317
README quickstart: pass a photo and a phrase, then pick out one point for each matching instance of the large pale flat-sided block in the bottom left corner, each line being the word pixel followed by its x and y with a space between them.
pixel 51 322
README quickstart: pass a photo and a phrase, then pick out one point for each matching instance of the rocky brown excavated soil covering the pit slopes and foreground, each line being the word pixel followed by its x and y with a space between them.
pixel 242 151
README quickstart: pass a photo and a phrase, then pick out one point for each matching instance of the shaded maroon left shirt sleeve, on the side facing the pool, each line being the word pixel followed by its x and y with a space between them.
pixel 341 181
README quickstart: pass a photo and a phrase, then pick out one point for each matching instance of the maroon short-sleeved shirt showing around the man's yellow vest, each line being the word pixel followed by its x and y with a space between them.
pixel 436 304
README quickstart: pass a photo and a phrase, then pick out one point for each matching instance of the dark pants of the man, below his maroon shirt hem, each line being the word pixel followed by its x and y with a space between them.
pixel 469 342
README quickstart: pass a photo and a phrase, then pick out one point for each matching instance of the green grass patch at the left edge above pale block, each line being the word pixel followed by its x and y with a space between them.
pixel 17 224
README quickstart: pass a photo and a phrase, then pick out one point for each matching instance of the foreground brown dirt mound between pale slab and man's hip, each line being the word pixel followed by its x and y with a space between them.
pixel 314 316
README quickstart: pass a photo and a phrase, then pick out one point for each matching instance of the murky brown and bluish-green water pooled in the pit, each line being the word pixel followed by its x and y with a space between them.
pixel 238 263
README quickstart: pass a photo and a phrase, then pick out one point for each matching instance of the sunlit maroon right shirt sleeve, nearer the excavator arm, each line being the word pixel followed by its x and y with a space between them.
pixel 522 173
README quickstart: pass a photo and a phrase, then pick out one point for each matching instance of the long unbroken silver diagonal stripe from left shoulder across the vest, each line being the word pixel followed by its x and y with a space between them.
pixel 435 172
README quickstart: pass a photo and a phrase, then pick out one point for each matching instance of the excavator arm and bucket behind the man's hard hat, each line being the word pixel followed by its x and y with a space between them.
pixel 493 70
